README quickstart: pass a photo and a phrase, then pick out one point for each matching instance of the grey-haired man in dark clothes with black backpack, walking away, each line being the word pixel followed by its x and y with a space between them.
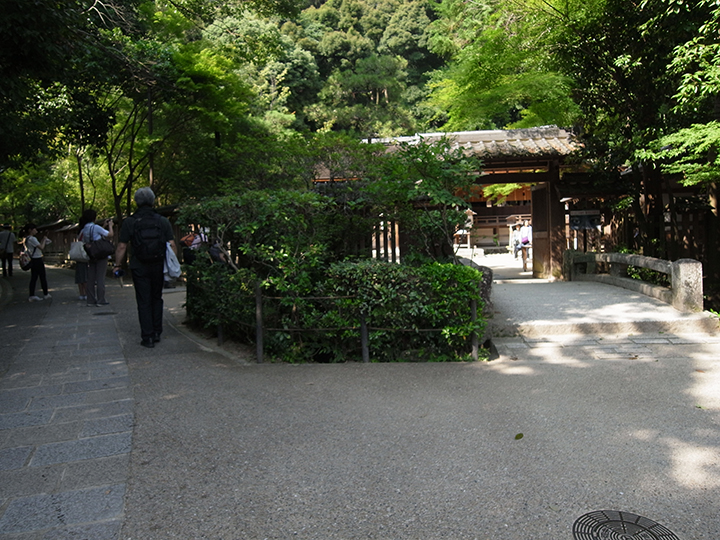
pixel 148 233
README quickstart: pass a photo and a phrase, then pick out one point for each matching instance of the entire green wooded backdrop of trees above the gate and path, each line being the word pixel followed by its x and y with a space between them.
pixel 199 97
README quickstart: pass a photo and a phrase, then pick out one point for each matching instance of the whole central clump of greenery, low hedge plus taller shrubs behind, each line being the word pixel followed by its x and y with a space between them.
pixel 309 251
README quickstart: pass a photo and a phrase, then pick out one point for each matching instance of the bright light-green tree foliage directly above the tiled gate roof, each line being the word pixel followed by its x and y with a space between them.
pixel 500 72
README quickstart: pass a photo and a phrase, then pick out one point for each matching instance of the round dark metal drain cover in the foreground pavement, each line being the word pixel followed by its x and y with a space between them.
pixel 615 525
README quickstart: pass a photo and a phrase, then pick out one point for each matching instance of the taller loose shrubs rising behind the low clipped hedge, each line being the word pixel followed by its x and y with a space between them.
pixel 275 229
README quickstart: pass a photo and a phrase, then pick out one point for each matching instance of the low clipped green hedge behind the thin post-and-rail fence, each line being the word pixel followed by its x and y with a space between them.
pixel 414 313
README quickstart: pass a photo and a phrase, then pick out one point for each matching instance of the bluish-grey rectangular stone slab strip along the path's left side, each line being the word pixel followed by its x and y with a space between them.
pixel 66 420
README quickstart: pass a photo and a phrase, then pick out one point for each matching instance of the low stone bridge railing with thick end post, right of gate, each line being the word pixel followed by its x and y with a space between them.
pixel 685 292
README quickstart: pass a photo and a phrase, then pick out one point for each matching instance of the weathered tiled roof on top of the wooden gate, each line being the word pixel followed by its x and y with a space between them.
pixel 539 142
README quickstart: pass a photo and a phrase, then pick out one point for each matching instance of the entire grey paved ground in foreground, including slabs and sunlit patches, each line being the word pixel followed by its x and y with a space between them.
pixel 101 439
